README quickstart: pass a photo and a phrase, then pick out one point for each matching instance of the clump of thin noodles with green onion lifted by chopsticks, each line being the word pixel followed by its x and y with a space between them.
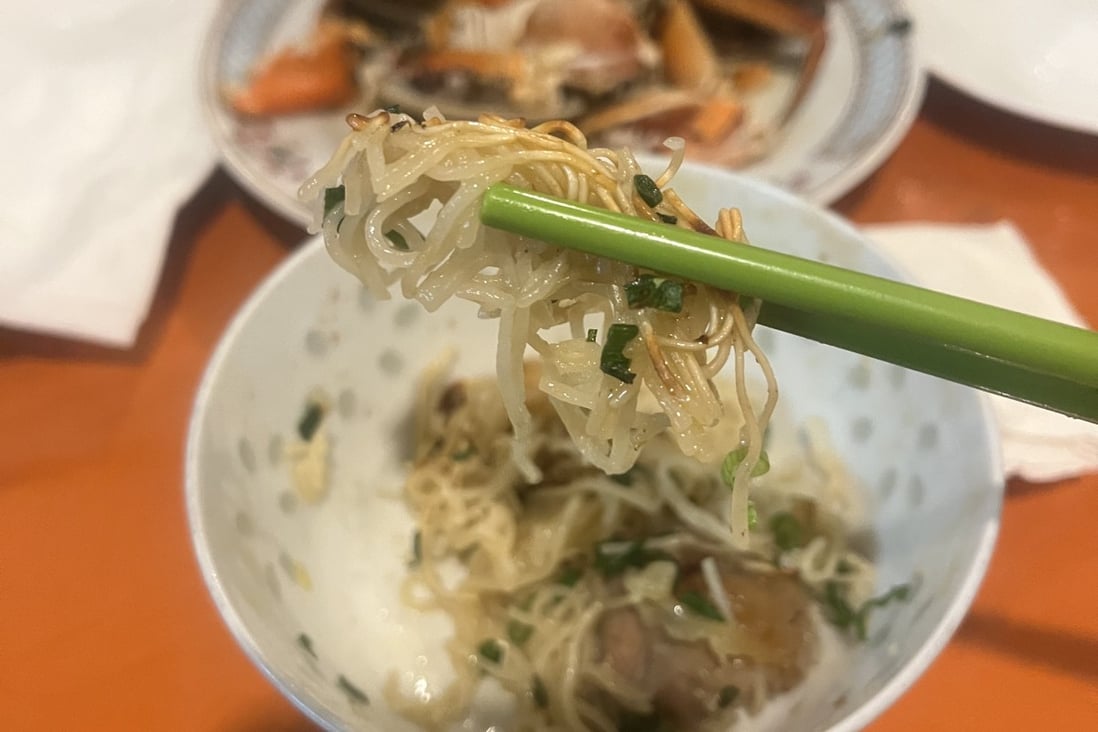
pixel 391 168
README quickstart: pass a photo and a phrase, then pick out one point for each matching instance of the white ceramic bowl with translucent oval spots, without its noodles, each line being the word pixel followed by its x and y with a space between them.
pixel 925 451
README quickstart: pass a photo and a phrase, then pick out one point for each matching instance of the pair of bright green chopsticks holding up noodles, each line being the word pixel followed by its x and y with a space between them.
pixel 1026 358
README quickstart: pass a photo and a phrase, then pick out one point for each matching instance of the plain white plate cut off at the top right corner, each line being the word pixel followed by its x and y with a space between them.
pixel 1037 60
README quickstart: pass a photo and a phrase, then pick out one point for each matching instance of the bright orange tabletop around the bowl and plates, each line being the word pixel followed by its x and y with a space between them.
pixel 105 622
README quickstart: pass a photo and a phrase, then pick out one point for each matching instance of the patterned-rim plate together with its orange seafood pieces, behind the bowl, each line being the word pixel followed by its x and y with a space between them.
pixel 811 97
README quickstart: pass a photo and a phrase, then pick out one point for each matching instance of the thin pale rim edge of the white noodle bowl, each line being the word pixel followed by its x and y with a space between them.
pixel 328 718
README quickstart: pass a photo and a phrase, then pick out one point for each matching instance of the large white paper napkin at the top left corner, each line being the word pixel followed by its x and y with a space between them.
pixel 104 141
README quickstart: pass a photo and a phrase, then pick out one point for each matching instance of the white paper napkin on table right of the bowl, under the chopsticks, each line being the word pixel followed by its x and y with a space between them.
pixel 994 265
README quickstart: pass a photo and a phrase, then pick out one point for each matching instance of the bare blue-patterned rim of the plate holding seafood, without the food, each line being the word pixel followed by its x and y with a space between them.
pixel 866 97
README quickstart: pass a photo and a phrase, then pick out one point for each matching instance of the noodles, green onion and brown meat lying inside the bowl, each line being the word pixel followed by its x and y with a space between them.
pixel 541 584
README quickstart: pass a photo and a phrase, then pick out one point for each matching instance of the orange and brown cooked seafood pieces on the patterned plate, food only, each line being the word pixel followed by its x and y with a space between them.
pixel 724 74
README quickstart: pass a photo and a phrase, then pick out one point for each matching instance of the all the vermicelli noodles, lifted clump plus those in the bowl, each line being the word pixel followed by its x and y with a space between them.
pixel 596 499
